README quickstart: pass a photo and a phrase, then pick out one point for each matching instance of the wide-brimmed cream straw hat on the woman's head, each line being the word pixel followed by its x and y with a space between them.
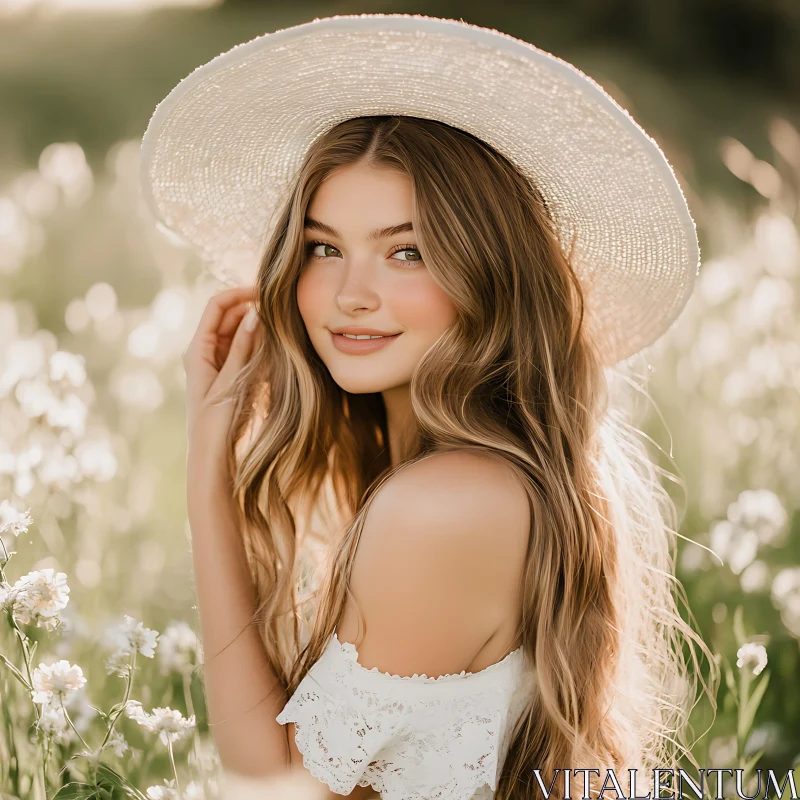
pixel 222 148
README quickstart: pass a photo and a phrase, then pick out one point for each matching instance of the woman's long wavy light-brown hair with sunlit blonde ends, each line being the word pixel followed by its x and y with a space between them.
pixel 517 376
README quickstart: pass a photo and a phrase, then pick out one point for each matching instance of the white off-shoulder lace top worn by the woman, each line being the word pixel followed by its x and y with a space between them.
pixel 410 738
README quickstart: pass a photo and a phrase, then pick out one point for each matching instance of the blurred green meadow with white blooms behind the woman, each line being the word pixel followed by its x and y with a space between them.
pixel 93 442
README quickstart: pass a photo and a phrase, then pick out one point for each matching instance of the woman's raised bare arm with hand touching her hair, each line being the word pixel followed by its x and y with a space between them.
pixel 242 693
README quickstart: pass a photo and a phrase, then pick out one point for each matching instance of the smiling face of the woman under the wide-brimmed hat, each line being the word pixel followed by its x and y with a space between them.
pixel 357 275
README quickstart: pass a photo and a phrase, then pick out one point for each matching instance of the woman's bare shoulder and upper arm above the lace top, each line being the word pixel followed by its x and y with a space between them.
pixel 439 563
